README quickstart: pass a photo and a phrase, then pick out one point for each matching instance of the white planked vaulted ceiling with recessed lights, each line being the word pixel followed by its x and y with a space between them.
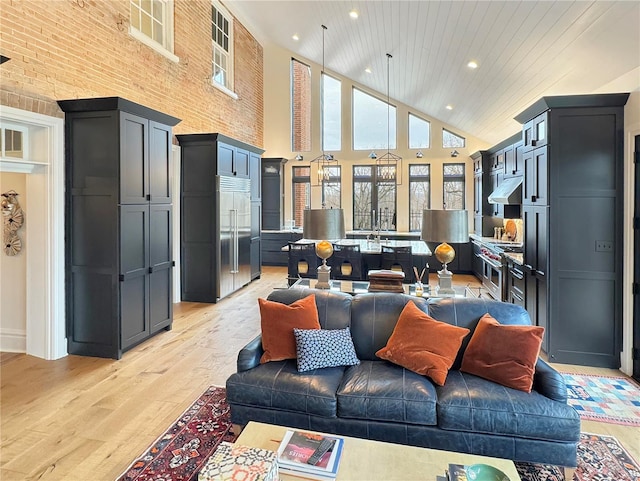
pixel 524 50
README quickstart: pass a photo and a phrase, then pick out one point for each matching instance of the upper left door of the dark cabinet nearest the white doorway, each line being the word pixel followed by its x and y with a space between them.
pixel 134 159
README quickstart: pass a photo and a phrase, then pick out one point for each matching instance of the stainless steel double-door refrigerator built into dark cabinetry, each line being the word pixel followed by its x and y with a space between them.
pixel 234 220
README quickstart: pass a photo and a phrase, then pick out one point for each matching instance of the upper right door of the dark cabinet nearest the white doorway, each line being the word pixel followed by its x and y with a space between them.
pixel 159 163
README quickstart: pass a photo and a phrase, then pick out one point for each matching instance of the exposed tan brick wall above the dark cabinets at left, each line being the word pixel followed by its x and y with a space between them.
pixel 65 49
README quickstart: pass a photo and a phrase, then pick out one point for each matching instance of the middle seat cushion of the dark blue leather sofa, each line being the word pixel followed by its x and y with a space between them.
pixel 380 391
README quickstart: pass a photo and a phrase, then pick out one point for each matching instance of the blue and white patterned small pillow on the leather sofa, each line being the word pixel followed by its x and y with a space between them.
pixel 318 348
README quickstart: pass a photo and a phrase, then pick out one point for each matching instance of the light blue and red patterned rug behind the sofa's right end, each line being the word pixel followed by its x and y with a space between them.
pixel 608 399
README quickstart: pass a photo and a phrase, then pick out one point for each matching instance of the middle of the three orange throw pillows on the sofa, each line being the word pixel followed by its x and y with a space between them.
pixel 422 344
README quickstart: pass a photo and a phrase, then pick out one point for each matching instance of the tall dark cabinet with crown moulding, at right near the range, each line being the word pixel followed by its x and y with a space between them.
pixel 573 222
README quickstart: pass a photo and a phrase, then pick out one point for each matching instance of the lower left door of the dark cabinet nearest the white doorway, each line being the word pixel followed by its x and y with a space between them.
pixel 134 279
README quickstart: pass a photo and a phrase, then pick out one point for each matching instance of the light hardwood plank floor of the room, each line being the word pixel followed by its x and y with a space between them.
pixel 82 418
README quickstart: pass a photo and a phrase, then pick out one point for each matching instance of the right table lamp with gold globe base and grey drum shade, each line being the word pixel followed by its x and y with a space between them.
pixel 445 226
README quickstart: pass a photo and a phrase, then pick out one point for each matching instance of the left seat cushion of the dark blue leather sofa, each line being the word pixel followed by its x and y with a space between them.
pixel 279 385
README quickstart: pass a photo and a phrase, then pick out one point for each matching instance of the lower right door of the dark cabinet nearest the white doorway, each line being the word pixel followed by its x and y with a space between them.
pixel 160 267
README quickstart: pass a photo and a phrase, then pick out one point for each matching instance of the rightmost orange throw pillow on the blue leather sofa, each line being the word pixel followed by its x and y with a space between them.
pixel 503 354
